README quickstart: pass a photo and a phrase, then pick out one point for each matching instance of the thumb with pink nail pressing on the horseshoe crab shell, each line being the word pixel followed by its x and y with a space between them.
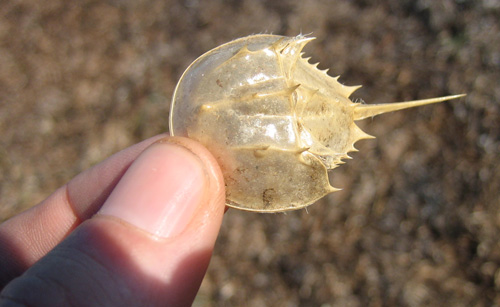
pixel 149 244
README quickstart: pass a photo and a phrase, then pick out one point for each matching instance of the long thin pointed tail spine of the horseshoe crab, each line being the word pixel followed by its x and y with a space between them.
pixel 362 111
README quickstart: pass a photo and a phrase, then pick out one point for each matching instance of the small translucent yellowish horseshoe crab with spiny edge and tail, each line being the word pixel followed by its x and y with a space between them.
pixel 275 123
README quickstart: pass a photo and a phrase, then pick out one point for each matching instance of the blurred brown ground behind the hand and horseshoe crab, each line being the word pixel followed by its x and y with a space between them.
pixel 417 222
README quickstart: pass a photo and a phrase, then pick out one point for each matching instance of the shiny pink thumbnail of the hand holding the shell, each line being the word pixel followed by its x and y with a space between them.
pixel 160 191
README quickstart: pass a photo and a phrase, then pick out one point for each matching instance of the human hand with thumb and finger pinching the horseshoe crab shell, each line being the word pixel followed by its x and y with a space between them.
pixel 159 209
